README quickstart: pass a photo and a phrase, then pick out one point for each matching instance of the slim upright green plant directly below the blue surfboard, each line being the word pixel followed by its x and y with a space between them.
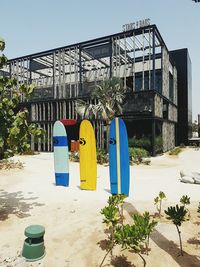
pixel 112 218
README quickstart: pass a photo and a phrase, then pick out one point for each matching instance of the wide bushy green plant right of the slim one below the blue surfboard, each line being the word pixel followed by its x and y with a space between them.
pixel 136 236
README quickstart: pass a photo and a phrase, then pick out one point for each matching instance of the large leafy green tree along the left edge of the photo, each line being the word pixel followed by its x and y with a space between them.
pixel 15 129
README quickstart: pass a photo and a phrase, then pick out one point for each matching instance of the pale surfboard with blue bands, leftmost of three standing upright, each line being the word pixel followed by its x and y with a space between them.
pixel 61 154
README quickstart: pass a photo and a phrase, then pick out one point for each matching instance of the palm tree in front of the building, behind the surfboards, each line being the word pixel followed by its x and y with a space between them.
pixel 109 95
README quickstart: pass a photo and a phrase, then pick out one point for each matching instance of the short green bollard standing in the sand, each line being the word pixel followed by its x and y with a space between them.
pixel 33 248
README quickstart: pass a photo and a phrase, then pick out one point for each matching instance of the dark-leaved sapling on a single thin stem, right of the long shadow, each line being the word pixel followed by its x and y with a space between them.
pixel 177 216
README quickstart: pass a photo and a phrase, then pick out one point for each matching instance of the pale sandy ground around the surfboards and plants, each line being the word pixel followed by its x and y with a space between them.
pixel 72 218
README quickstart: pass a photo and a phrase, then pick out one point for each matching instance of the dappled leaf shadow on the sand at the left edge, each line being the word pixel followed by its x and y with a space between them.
pixel 15 203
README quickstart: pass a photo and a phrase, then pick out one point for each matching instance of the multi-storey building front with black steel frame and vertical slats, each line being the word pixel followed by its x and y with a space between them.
pixel 63 75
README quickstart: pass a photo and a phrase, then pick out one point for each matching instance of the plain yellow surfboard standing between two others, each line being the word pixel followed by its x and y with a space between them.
pixel 88 158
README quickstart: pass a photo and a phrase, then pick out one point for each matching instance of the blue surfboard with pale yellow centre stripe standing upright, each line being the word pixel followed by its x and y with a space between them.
pixel 119 158
